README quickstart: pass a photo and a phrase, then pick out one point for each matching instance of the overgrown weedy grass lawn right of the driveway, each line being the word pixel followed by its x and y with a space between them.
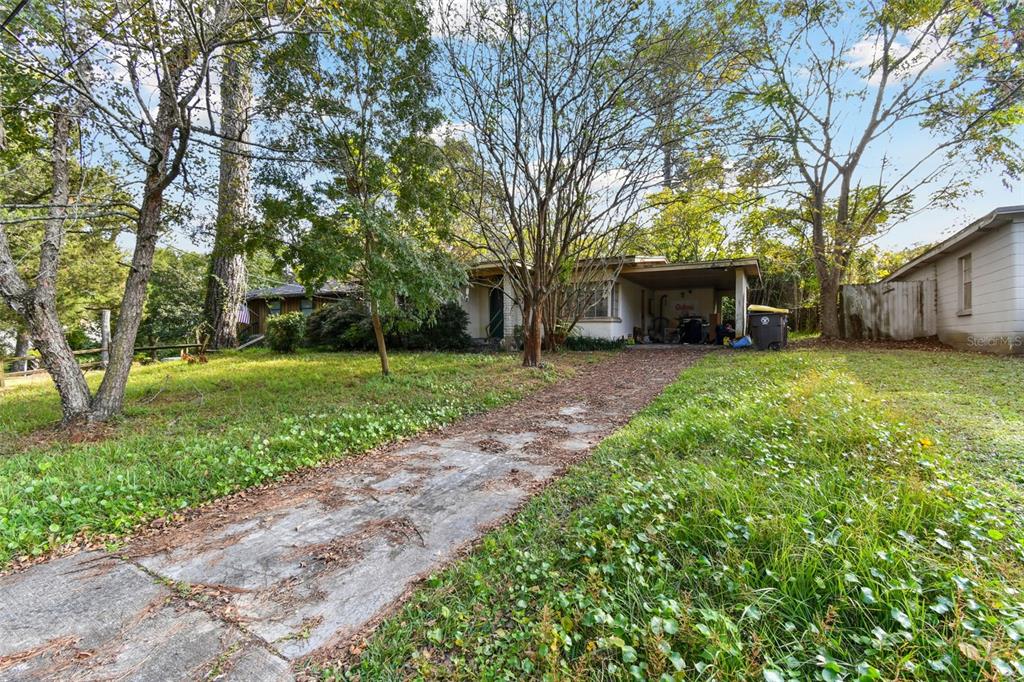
pixel 813 515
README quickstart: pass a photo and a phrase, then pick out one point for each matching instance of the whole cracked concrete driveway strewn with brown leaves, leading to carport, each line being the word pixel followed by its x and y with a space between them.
pixel 305 569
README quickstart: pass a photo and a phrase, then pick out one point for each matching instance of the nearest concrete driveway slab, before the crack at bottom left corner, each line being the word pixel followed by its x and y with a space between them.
pixel 94 617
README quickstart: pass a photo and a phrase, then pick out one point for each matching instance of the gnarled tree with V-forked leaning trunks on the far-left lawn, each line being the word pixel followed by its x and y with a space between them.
pixel 133 77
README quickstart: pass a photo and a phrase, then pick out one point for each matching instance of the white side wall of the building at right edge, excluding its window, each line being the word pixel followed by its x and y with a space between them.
pixel 997 320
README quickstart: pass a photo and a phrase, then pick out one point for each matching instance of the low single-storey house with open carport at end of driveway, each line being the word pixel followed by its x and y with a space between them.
pixel 648 292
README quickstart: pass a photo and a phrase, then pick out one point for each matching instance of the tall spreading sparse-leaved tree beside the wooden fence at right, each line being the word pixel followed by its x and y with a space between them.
pixel 839 88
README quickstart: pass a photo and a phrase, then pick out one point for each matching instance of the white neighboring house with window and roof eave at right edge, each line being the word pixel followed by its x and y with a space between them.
pixel 979 283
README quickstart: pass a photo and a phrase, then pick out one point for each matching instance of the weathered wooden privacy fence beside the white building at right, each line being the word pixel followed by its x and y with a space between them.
pixel 900 311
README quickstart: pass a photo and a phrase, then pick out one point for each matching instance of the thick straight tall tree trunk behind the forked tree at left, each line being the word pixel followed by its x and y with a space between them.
pixel 226 288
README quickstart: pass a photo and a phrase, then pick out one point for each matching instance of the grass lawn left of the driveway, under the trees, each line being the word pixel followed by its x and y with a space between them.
pixel 191 434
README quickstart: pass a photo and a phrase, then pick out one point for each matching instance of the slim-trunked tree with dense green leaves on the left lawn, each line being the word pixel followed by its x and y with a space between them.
pixel 368 200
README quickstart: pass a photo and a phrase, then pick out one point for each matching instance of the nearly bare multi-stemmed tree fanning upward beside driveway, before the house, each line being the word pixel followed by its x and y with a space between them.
pixel 566 143
